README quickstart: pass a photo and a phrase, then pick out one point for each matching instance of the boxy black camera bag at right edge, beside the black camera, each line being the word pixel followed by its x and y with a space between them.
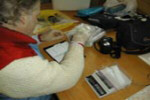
pixel 134 36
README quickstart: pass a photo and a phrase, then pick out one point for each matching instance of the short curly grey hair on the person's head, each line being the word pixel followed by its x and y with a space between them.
pixel 10 10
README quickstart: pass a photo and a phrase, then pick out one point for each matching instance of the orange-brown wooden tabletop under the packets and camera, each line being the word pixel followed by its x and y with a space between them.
pixel 133 66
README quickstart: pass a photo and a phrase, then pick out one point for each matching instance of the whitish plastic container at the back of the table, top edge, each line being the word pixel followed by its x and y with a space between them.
pixel 70 4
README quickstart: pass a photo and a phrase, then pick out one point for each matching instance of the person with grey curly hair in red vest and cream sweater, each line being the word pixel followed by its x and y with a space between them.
pixel 23 73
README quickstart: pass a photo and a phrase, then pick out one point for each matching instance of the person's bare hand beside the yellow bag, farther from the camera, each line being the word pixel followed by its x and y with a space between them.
pixel 51 35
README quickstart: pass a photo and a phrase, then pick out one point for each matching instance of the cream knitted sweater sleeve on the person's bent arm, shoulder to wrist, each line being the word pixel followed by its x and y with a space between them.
pixel 33 76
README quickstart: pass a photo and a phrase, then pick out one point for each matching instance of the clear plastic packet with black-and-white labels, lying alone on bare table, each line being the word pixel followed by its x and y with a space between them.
pixel 108 80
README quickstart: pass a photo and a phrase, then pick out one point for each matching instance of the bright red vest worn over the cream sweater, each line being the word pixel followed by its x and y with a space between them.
pixel 14 45
